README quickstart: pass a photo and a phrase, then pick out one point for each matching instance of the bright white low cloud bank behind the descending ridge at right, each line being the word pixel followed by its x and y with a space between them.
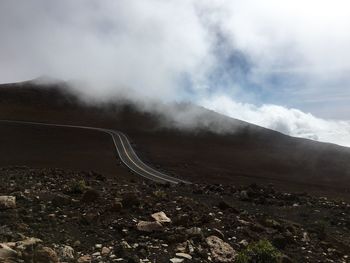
pixel 288 121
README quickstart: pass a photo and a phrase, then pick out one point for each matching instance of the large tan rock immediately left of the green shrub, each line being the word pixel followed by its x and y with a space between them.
pixel 220 250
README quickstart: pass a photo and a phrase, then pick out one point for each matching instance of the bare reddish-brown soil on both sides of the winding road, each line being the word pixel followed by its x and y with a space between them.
pixel 251 154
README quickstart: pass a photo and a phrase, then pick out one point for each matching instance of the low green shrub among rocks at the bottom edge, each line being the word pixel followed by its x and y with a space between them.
pixel 260 252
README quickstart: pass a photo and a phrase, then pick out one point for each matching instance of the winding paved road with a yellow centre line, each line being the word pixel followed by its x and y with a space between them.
pixel 125 151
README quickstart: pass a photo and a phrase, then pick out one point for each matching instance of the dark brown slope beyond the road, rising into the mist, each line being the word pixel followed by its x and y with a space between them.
pixel 248 154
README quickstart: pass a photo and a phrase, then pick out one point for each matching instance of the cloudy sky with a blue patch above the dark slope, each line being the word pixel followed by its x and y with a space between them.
pixel 284 65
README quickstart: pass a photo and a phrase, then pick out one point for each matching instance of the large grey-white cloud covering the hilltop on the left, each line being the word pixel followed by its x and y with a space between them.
pixel 143 45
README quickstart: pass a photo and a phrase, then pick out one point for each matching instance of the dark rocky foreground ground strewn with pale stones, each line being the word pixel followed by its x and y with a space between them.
pixel 64 216
